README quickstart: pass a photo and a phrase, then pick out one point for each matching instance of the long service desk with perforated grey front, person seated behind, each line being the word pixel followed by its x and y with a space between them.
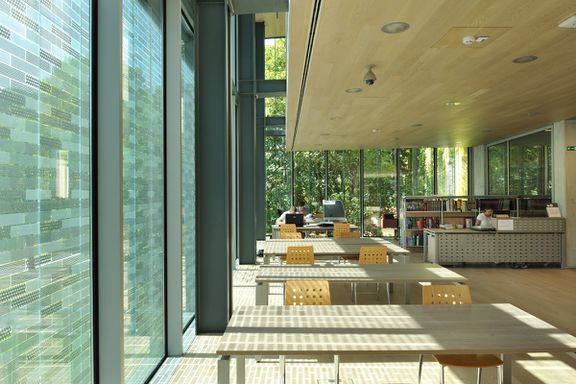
pixel 524 240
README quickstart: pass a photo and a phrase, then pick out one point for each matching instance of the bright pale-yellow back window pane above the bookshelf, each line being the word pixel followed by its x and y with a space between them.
pixel 452 171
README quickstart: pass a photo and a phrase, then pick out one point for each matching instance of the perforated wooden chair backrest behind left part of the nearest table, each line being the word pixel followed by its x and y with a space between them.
pixel 307 292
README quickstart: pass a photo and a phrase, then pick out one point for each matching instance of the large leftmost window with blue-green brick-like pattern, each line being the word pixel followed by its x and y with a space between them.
pixel 46 298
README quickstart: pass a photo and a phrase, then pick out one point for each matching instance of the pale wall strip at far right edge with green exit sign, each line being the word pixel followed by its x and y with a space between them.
pixel 564 184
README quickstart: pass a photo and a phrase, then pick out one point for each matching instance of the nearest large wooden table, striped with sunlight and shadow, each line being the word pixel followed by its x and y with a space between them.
pixel 386 329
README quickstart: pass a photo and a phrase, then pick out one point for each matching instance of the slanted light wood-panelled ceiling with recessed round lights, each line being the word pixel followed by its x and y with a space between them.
pixel 331 42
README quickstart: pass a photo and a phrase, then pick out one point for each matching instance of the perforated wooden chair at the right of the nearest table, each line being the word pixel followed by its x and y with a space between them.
pixel 456 295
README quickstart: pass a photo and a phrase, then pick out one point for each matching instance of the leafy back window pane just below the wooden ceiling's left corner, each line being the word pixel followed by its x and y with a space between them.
pixel 309 179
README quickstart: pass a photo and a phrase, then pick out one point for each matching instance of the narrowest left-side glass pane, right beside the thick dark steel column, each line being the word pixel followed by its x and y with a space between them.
pixel 188 100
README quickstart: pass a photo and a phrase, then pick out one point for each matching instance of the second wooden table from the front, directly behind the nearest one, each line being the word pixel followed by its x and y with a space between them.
pixel 383 273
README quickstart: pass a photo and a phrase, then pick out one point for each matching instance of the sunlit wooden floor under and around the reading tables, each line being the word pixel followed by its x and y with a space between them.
pixel 548 293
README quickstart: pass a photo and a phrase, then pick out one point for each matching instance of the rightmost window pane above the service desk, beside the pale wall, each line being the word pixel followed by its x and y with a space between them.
pixel 530 168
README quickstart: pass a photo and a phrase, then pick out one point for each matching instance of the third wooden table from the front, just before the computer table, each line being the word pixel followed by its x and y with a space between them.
pixel 332 247
